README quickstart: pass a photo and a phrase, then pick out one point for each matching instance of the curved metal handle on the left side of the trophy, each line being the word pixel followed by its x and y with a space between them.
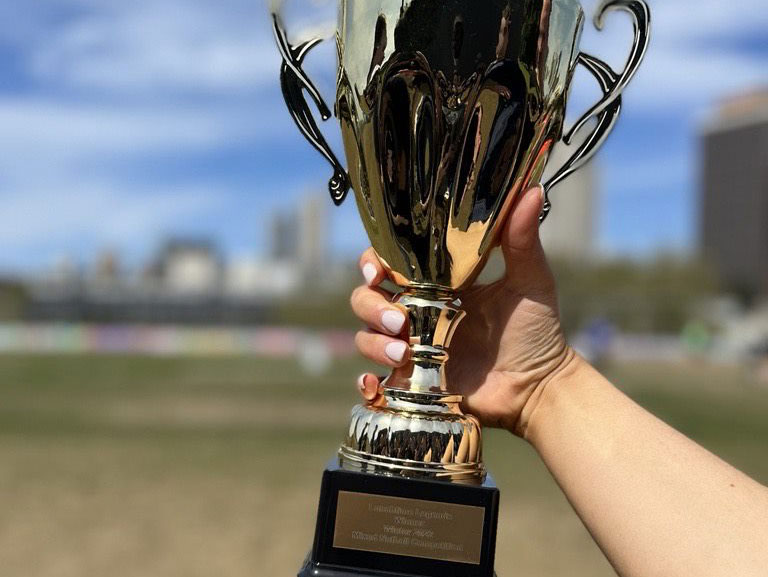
pixel 294 82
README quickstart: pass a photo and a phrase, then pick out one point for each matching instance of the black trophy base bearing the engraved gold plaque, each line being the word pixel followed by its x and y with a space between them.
pixel 374 525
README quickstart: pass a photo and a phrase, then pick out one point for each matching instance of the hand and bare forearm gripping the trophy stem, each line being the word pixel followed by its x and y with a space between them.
pixel 655 502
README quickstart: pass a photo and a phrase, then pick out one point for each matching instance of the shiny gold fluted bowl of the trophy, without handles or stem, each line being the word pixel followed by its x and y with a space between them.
pixel 448 111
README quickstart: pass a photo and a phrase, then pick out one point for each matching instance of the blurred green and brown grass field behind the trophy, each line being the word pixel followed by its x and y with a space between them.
pixel 135 466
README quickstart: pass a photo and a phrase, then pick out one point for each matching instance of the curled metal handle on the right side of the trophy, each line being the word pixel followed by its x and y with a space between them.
pixel 607 110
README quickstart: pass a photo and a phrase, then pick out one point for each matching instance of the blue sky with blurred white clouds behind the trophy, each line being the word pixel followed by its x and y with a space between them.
pixel 124 123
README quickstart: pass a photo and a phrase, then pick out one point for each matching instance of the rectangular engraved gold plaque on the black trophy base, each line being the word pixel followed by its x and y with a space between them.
pixel 412 527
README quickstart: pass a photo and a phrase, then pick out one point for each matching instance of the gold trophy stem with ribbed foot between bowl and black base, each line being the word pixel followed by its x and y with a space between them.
pixel 417 428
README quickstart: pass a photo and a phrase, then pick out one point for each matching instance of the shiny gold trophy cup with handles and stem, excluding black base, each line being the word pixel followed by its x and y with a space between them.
pixel 448 111
